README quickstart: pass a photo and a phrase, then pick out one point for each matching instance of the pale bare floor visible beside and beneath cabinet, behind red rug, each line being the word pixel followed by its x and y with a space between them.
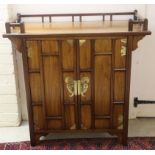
pixel 142 127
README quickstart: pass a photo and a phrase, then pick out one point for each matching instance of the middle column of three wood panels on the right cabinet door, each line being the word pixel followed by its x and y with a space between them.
pixel 102 78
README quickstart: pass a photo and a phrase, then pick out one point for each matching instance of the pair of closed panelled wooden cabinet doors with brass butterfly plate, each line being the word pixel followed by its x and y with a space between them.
pixel 77 84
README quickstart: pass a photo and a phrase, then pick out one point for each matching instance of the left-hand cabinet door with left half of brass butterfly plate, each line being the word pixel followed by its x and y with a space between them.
pixel 51 63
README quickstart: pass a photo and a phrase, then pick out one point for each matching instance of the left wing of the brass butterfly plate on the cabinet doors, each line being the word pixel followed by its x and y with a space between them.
pixel 70 83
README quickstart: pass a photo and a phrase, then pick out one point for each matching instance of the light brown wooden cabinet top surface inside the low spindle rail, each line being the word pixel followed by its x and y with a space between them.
pixel 78 27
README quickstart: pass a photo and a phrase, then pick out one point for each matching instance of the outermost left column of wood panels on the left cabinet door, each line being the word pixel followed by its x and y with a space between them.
pixel 33 51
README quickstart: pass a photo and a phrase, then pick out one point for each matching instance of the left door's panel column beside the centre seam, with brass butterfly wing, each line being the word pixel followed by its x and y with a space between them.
pixel 69 76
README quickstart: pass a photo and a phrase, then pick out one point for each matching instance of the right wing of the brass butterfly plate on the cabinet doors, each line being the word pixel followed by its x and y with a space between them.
pixel 84 84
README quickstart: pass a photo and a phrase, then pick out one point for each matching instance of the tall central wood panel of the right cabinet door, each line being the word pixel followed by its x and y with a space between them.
pixel 102 85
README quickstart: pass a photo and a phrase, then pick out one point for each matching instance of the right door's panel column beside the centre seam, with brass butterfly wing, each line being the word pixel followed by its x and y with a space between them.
pixel 84 75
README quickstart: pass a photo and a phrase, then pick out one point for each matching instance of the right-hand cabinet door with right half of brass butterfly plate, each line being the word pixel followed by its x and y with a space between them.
pixel 101 71
